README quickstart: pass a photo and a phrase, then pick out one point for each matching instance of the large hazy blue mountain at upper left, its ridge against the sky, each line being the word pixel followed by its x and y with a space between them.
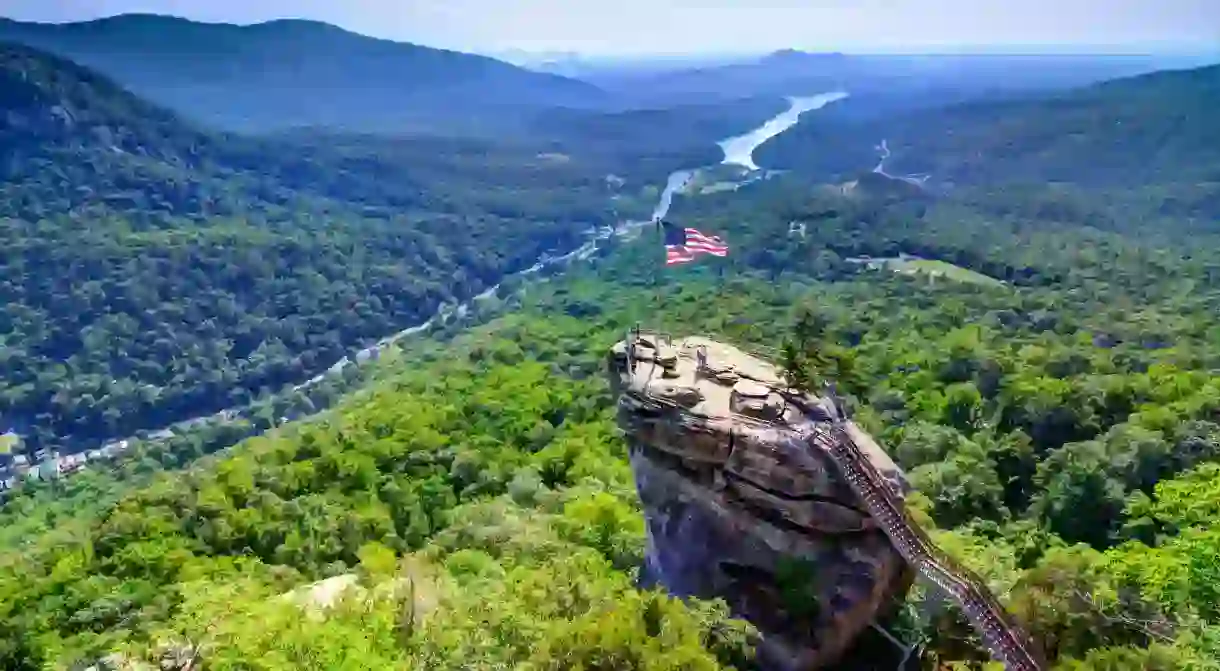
pixel 295 74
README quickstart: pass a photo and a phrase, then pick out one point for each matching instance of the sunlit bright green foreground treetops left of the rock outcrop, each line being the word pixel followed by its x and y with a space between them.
pixel 446 461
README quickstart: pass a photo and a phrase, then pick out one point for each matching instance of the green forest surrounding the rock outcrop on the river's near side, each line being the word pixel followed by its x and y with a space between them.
pixel 1073 467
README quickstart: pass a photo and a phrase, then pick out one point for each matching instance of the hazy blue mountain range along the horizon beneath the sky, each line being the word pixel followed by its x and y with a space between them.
pixel 286 75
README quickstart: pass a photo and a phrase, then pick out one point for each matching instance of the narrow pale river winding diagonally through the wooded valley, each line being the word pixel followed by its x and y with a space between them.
pixel 739 151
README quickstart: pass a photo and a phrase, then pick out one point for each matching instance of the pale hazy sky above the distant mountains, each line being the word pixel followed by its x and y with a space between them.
pixel 626 27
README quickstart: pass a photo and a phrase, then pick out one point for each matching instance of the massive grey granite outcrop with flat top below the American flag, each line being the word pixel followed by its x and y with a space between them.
pixel 740 507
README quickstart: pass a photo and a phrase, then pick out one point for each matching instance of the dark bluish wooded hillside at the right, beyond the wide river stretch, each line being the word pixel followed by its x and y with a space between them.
pixel 1150 130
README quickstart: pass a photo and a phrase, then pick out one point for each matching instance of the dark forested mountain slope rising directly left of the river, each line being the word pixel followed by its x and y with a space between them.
pixel 156 271
